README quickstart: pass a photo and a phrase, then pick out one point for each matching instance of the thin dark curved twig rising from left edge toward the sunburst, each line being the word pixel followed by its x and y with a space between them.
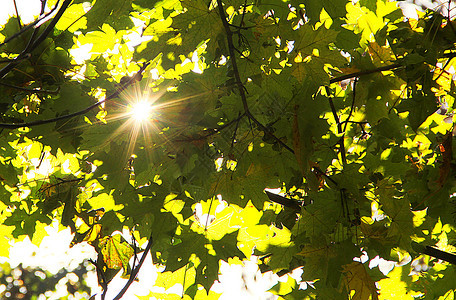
pixel 78 113
